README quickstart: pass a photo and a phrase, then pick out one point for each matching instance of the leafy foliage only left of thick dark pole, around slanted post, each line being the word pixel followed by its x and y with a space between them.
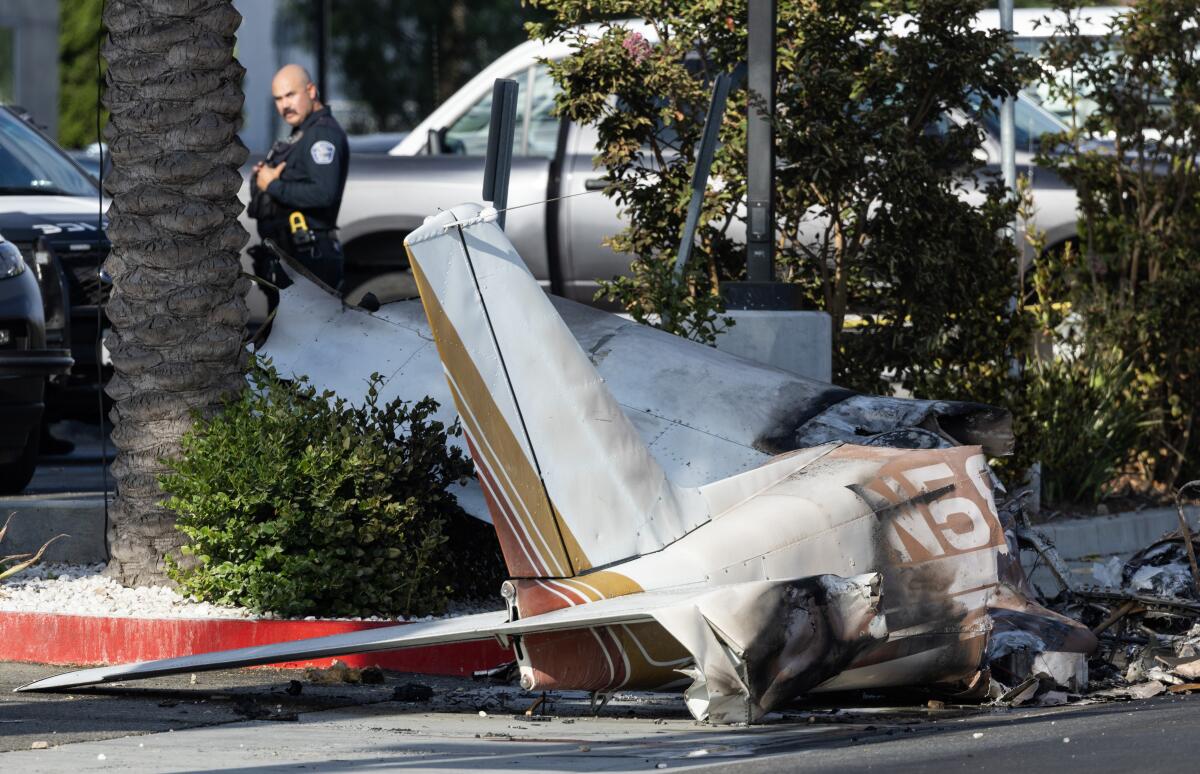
pixel 649 106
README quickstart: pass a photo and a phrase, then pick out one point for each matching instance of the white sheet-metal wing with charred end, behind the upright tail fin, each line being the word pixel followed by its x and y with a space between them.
pixel 687 401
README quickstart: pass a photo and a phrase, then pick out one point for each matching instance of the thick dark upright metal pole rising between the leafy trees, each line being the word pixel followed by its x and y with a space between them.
pixel 761 143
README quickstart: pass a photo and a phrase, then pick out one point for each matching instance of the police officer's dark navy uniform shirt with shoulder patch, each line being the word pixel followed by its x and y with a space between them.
pixel 315 177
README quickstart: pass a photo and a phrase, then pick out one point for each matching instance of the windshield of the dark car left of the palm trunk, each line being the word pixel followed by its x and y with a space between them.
pixel 32 165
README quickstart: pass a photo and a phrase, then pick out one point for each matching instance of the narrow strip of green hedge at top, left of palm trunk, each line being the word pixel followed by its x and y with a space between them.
pixel 79 76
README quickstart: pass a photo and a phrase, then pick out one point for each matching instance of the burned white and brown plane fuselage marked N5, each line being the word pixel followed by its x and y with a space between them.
pixel 925 521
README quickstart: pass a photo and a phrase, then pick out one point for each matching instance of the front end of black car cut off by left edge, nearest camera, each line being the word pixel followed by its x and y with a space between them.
pixel 26 369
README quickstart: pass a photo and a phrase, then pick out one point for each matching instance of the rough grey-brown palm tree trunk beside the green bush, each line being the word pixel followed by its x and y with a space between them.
pixel 178 309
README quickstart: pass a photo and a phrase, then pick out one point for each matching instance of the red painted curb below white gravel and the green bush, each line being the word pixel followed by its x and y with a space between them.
pixel 95 640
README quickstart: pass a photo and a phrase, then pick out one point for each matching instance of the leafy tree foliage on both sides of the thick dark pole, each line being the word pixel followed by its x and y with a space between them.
pixel 873 223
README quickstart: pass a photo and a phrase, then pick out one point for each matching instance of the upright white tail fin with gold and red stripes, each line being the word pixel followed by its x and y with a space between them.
pixel 569 482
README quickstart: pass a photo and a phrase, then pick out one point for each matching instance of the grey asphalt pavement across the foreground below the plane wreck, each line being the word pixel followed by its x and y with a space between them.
pixel 250 722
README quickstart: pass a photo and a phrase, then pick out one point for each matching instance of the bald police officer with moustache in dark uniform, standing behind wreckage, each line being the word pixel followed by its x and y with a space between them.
pixel 297 191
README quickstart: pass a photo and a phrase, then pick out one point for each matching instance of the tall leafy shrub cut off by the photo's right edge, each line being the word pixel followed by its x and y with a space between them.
pixel 1138 280
